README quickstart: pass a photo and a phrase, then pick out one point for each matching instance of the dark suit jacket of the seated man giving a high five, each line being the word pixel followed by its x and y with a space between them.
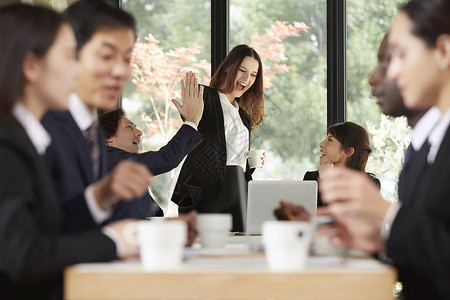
pixel 158 162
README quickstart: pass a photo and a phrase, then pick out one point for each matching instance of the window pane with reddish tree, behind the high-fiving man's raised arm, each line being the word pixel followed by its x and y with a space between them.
pixel 174 37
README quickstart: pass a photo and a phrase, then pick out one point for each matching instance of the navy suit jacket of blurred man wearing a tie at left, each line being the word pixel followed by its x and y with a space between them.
pixel 68 158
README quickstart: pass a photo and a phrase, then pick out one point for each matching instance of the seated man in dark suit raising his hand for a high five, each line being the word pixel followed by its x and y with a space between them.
pixel 123 138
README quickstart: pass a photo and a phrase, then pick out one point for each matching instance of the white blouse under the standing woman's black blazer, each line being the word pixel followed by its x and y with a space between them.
pixel 236 134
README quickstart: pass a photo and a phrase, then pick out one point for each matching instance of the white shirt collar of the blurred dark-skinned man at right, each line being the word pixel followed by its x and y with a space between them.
pixel 424 127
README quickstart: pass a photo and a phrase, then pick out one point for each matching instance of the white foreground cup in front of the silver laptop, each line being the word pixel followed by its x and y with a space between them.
pixel 286 244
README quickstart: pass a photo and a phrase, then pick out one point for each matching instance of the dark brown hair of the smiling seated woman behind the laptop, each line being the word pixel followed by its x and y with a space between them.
pixel 352 135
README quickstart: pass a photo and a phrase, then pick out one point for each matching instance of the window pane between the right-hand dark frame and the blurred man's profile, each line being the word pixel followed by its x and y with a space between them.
pixel 367 22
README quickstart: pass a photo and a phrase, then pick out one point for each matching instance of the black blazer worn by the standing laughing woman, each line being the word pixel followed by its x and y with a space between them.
pixel 203 171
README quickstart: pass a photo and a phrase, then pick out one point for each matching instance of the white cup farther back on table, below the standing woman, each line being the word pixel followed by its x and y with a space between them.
pixel 213 229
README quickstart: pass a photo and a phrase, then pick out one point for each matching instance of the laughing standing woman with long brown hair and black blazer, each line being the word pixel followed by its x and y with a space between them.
pixel 210 179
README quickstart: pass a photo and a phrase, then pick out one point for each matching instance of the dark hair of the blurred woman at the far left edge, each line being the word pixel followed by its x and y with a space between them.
pixel 24 30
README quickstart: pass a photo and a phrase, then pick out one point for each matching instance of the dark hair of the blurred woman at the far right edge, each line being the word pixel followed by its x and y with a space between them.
pixel 430 18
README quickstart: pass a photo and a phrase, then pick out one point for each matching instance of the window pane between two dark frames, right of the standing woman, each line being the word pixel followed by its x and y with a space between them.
pixel 290 36
